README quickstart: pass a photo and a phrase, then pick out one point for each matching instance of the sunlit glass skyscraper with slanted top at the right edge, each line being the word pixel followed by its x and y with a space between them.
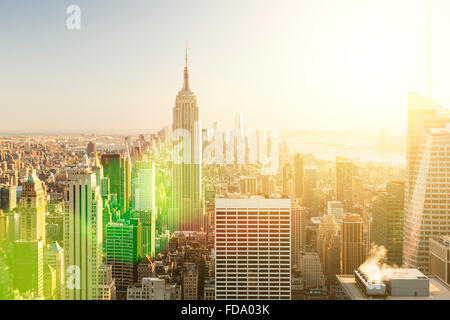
pixel 425 159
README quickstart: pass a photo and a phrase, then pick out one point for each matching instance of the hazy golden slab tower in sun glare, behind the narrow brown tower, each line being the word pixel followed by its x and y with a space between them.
pixel 344 182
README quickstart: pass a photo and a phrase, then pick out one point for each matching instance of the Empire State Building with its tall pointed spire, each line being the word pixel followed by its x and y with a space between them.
pixel 186 212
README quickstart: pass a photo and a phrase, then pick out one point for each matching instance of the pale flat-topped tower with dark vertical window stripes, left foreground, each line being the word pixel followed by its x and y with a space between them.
pixel 82 236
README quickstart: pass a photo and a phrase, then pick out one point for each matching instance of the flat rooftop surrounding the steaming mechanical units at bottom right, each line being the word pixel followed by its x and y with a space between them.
pixel 438 290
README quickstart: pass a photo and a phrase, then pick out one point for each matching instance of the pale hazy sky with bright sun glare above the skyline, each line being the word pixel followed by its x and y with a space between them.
pixel 291 64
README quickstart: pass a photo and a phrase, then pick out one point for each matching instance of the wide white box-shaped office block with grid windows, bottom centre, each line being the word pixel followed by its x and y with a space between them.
pixel 253 249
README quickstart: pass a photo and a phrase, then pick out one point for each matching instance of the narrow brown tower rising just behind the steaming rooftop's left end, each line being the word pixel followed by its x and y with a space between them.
pixel 352 247
